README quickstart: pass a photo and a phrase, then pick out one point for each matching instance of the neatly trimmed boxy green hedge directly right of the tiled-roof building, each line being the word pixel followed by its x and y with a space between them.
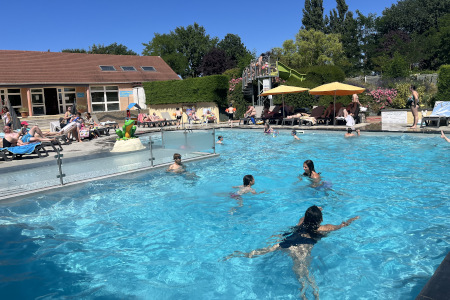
pixel 203 89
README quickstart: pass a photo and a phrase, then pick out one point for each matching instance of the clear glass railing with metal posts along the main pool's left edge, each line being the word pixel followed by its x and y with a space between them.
pixel 48 173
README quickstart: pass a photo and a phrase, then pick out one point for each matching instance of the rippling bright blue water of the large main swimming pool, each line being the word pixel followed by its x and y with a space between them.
pixel 164 236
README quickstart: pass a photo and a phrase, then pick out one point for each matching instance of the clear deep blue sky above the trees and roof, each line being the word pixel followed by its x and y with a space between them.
pixel 56 25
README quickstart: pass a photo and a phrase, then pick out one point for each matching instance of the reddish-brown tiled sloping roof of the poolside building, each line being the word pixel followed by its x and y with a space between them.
pixel 33 67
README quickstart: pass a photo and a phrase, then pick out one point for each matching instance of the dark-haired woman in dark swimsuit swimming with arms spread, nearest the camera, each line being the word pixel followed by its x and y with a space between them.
pixel 299 242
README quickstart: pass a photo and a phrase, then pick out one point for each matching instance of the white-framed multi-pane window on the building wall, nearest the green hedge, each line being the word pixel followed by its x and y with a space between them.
pixel 105 98
